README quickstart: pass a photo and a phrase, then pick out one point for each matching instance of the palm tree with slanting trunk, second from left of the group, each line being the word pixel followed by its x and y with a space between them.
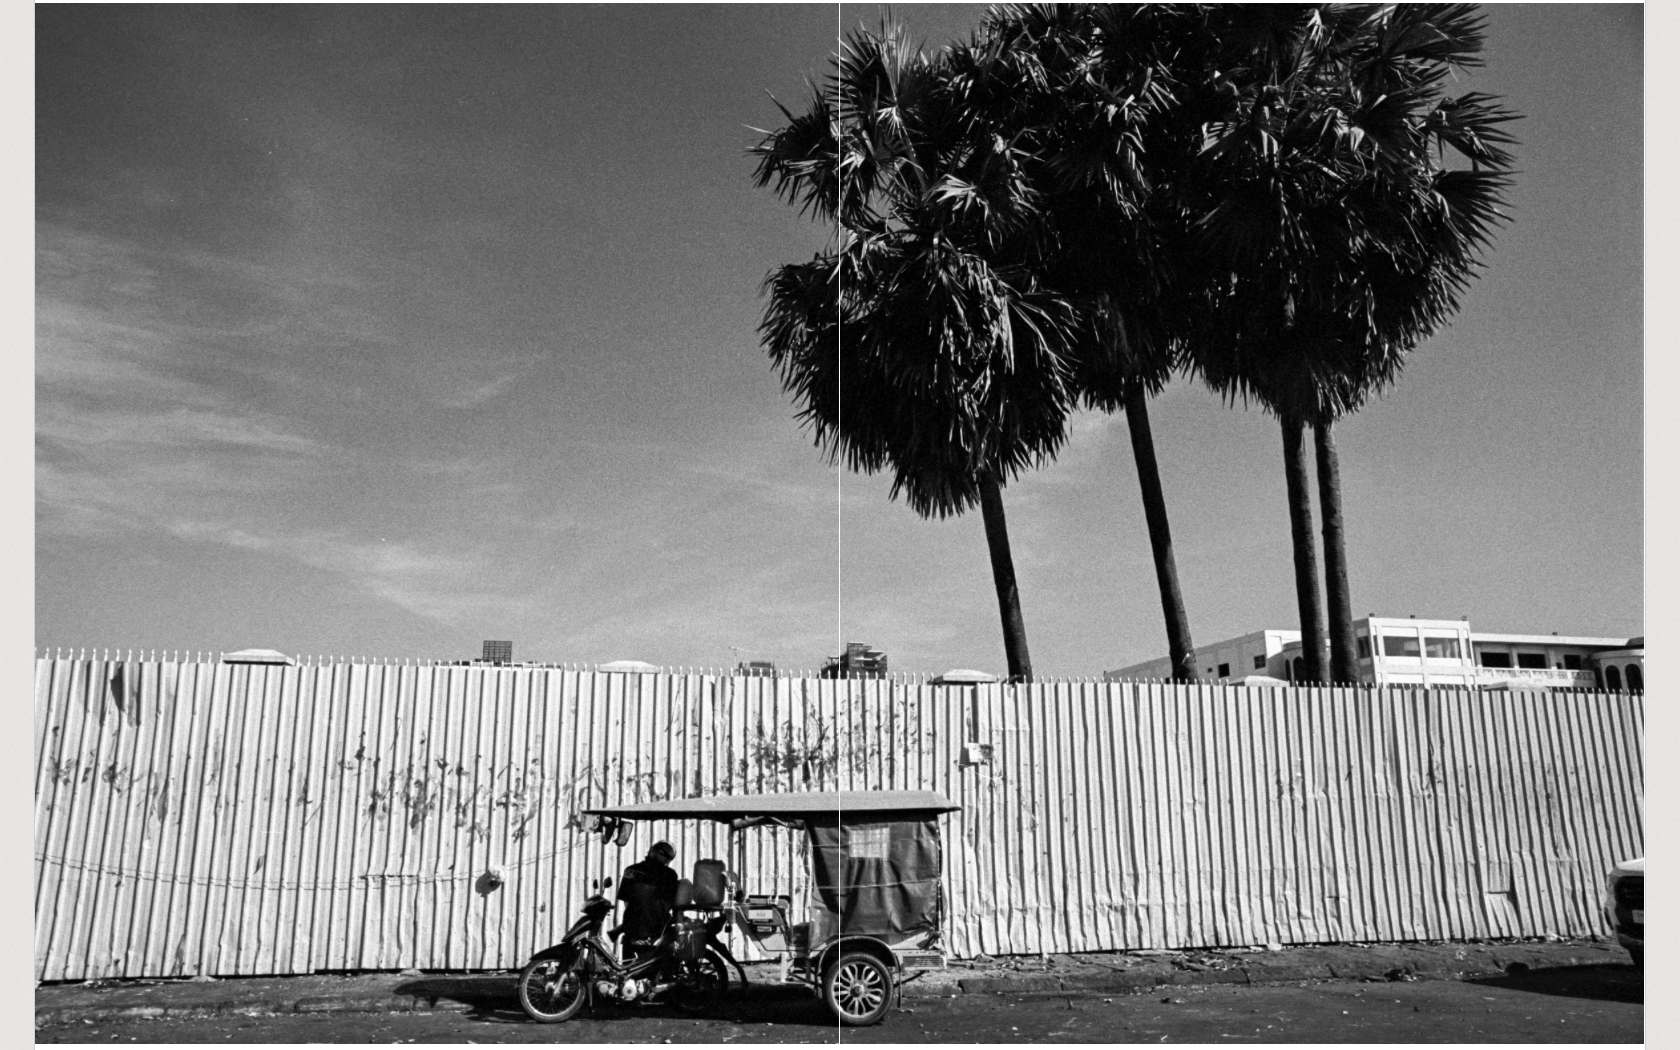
pixel 1088 95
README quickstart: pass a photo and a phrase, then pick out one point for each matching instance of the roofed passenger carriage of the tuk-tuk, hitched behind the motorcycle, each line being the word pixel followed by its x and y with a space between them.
pixel 874 905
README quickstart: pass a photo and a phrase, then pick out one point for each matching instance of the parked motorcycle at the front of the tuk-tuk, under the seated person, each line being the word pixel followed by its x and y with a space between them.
pixel 685 967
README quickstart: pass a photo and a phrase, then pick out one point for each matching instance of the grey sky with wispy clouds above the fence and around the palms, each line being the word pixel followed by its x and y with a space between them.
pixel 381 332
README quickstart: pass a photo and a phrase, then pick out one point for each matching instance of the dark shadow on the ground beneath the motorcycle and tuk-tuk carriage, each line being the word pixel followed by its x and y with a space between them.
pixel 493 1000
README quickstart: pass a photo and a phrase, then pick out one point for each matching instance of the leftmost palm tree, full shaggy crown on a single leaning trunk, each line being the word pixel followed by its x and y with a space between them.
pixel 921 342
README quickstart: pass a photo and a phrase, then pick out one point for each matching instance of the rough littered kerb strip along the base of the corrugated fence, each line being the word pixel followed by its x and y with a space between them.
pixel 1076 975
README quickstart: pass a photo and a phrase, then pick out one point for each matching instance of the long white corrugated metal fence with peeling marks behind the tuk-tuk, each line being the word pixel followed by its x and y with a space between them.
pixel 201 817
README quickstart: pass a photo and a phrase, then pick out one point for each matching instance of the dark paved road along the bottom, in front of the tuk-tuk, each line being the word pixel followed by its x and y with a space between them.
pixel 1583 1005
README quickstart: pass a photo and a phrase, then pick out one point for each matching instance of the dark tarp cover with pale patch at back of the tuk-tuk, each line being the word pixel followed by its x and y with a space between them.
pixel 878 878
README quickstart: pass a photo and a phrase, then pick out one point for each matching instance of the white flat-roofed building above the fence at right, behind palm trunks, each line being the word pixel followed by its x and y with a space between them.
pixel 1429 653
